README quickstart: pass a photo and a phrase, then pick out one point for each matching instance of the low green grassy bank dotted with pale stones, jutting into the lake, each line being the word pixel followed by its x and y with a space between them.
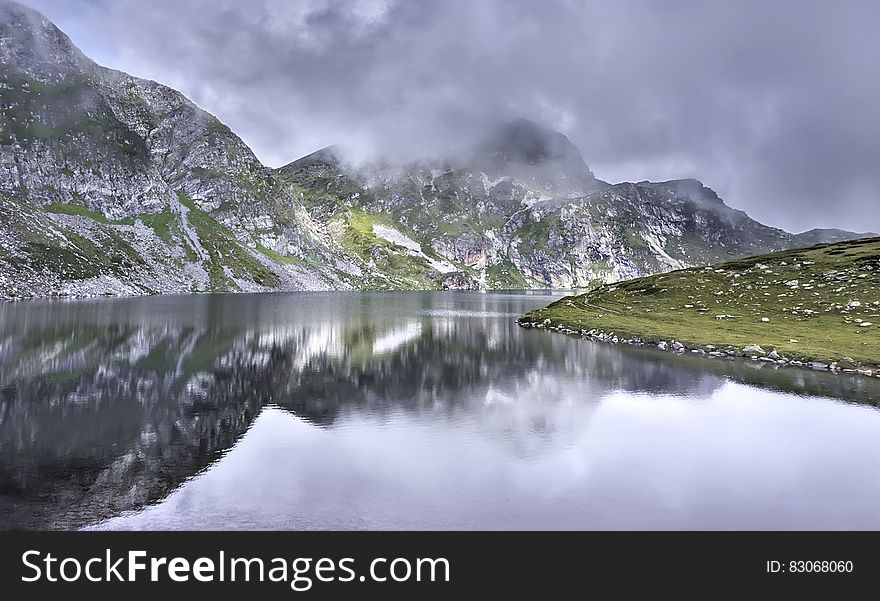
pixel 819 304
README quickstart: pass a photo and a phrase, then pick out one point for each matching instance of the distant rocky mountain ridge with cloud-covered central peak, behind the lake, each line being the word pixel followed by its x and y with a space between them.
pixel 524 210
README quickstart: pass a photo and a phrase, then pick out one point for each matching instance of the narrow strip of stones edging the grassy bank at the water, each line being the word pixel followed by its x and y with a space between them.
pixel 752 352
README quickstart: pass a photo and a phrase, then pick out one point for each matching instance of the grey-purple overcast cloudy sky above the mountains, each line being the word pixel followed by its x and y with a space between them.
pixel 775 105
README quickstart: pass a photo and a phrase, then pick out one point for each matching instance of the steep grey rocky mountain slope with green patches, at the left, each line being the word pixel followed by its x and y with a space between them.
pixel 104 156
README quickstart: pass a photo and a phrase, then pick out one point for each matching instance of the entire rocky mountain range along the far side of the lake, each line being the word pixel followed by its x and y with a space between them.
pixel 110 184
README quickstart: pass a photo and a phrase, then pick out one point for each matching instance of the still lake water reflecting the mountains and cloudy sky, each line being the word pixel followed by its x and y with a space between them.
pixel 407 411
